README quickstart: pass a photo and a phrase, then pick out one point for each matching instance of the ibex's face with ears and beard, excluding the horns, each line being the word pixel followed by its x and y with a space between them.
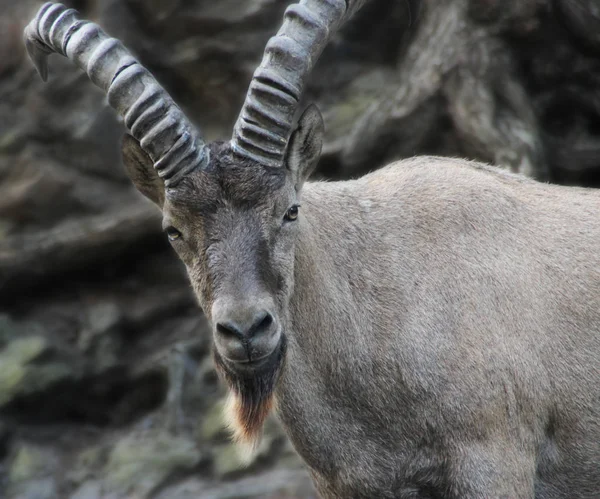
pixel 234 226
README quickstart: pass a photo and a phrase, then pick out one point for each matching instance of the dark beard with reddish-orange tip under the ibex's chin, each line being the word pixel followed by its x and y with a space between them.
pixel 251 394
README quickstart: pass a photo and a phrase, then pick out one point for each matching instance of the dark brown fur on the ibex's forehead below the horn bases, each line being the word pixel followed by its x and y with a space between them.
pixel 227 180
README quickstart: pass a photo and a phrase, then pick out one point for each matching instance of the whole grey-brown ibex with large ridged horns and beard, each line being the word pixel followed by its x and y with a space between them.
pixel 429 330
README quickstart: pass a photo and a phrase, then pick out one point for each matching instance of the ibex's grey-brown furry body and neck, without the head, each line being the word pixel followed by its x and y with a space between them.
pixel 445 337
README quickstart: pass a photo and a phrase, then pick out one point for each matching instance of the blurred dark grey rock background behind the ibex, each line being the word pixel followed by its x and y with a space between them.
pixel 106 384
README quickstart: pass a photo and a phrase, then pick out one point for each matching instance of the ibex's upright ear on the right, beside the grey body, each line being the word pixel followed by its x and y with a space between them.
pixel 304 148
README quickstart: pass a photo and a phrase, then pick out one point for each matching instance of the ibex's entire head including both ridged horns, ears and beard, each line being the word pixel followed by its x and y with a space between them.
pixel 230 210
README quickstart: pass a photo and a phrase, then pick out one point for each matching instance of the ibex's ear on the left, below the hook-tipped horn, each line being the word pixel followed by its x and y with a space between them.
pixel 140 170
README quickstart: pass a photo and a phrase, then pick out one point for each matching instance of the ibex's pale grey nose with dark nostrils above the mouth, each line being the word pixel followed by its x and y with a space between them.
pixel 244 333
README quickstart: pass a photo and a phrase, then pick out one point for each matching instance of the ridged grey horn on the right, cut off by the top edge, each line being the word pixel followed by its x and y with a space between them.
pixel 263 127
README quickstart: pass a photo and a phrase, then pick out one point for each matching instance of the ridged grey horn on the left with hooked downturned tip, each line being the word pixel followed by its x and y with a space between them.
pixel 173 144
